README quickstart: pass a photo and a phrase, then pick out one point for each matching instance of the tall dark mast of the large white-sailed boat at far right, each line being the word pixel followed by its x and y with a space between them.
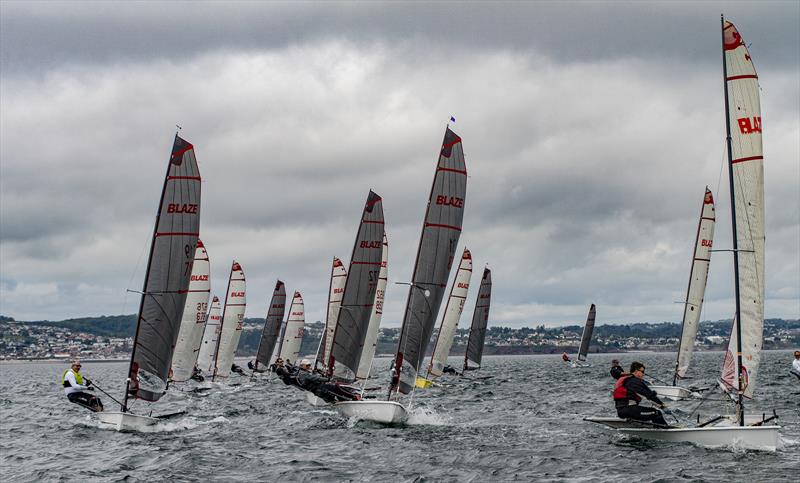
pixel 737 321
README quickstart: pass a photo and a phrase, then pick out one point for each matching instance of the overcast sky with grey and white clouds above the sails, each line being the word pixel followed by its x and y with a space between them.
pixel 590 131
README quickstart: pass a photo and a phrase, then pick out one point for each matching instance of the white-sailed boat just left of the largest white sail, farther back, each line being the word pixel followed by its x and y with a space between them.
pixel 692 307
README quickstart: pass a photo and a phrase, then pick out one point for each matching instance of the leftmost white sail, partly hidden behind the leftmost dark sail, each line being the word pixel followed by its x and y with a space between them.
pixel 194 317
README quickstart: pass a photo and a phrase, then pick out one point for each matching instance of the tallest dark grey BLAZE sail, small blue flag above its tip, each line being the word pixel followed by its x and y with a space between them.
pixel 437 247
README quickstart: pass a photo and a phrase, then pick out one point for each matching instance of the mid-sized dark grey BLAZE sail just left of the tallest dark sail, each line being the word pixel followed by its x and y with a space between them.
pixel 359 292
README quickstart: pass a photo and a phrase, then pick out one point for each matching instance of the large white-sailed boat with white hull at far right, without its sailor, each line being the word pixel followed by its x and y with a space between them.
pixel 746 180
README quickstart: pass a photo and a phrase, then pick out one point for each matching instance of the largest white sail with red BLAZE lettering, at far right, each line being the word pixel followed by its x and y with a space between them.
pixel 747 167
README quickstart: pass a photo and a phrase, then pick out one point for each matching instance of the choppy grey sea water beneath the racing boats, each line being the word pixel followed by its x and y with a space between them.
pixel 523 424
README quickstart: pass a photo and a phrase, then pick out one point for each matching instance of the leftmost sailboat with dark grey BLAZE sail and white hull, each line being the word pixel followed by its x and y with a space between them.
pixel 165 287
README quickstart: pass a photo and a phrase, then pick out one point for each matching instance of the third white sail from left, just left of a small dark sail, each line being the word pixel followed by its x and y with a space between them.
pixel 232 319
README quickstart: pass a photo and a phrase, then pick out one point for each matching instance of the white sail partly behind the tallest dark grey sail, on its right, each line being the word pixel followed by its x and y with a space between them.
pixel 452 313
